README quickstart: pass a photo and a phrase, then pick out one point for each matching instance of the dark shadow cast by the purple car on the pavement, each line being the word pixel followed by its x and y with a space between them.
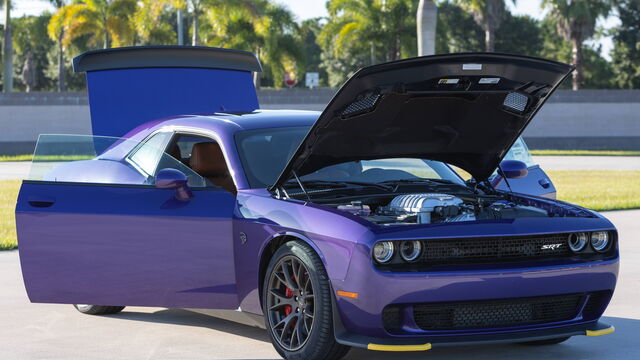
pixel 620 345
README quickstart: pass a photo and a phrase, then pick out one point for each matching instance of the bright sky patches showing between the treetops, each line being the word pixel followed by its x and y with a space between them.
pixel 305 9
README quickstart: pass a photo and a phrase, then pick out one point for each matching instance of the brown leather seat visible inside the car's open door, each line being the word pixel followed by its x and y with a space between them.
pixel 208 160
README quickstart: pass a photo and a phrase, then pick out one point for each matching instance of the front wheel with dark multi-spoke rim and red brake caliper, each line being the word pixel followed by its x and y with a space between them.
pixel 299 309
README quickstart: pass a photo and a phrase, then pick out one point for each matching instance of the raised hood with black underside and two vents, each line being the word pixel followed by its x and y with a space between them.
pixel 462 109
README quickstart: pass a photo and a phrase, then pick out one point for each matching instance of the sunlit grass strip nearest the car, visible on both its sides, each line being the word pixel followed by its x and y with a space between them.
pixel 597 190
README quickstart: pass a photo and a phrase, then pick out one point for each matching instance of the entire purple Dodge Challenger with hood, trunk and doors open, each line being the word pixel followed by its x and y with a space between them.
pixel 346 228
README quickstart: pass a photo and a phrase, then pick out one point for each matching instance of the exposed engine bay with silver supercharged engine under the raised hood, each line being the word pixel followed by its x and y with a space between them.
pixel 426 201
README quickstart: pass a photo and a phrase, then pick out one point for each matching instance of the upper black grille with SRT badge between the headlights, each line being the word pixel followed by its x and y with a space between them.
pixel 494 249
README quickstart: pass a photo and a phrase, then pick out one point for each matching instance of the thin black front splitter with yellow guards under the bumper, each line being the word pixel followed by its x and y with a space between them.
pixel 426 343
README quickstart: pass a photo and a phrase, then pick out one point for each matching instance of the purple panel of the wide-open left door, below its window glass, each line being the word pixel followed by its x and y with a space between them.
pixel 117 245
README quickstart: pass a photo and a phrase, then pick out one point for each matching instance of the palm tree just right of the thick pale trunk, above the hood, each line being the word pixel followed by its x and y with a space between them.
pixel 488 14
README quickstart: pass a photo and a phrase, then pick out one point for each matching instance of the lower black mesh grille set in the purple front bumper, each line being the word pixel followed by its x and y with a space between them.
pixel 488 314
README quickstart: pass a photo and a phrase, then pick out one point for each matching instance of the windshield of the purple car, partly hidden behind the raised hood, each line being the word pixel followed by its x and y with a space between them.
pixel 265 152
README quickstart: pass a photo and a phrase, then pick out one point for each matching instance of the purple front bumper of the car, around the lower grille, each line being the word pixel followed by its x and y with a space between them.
pixel 361 317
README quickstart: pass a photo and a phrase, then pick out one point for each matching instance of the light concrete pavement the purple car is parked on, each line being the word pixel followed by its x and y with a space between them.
pixel 41 331
